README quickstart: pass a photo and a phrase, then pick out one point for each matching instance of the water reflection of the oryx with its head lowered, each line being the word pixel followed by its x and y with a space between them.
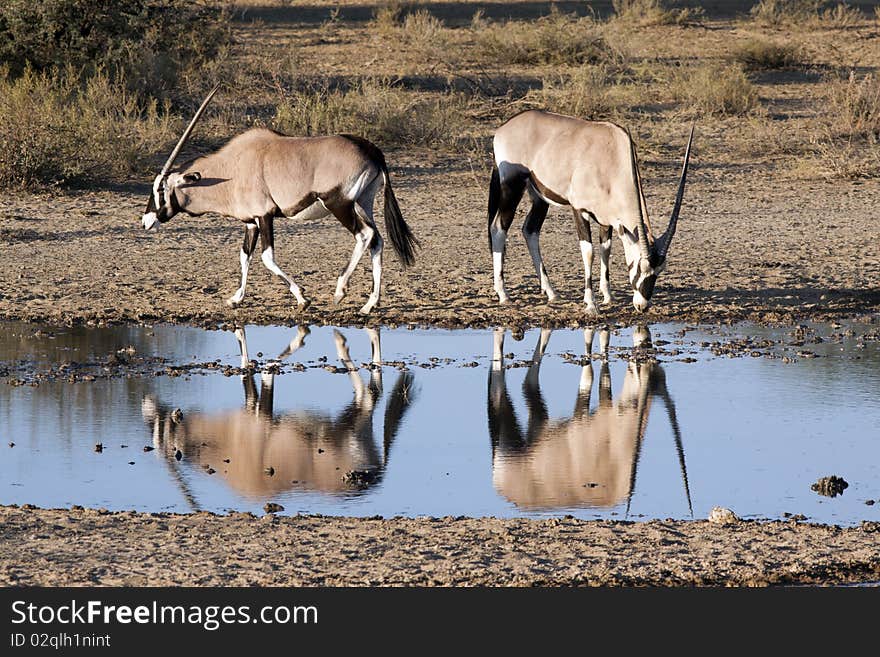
pixel 589 459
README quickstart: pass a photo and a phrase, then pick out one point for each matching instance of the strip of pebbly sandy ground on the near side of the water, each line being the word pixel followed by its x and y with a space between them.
pixel 93 547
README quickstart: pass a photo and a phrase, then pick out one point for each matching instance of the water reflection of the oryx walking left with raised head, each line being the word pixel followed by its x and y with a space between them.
pixel 260 453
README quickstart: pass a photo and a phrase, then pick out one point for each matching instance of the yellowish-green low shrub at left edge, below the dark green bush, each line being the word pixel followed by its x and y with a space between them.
pixel 55 127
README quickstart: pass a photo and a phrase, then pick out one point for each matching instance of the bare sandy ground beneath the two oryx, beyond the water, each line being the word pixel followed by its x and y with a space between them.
pixel 742 251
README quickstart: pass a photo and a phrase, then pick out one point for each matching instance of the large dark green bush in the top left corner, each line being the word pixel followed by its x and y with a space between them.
pixel 150 40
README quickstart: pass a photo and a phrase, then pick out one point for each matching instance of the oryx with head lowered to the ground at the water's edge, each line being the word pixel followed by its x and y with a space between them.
pixel 591 167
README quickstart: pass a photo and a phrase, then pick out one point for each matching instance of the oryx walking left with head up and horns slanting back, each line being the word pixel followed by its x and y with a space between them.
pixel 261 174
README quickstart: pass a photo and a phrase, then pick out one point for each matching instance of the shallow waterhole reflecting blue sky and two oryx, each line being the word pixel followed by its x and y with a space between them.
pixel 646 422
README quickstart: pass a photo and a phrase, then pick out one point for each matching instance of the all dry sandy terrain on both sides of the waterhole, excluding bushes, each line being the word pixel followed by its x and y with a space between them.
pixel 779 225
